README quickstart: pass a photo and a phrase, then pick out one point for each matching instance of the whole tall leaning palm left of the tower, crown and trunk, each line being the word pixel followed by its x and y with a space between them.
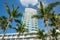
pixel 13 14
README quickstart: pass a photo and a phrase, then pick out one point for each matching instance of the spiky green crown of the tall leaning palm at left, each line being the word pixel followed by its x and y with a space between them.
pixel 14 13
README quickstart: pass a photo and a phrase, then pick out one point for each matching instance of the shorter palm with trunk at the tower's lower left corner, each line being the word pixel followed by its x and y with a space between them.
pixel 20 28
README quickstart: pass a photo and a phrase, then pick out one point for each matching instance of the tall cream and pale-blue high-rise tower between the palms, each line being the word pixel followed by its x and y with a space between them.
pixel 31 23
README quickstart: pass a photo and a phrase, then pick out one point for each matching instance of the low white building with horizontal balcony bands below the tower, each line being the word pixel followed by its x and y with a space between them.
pixel 14 36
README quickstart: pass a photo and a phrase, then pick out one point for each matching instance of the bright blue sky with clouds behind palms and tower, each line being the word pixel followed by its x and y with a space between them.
pixel 24 4
